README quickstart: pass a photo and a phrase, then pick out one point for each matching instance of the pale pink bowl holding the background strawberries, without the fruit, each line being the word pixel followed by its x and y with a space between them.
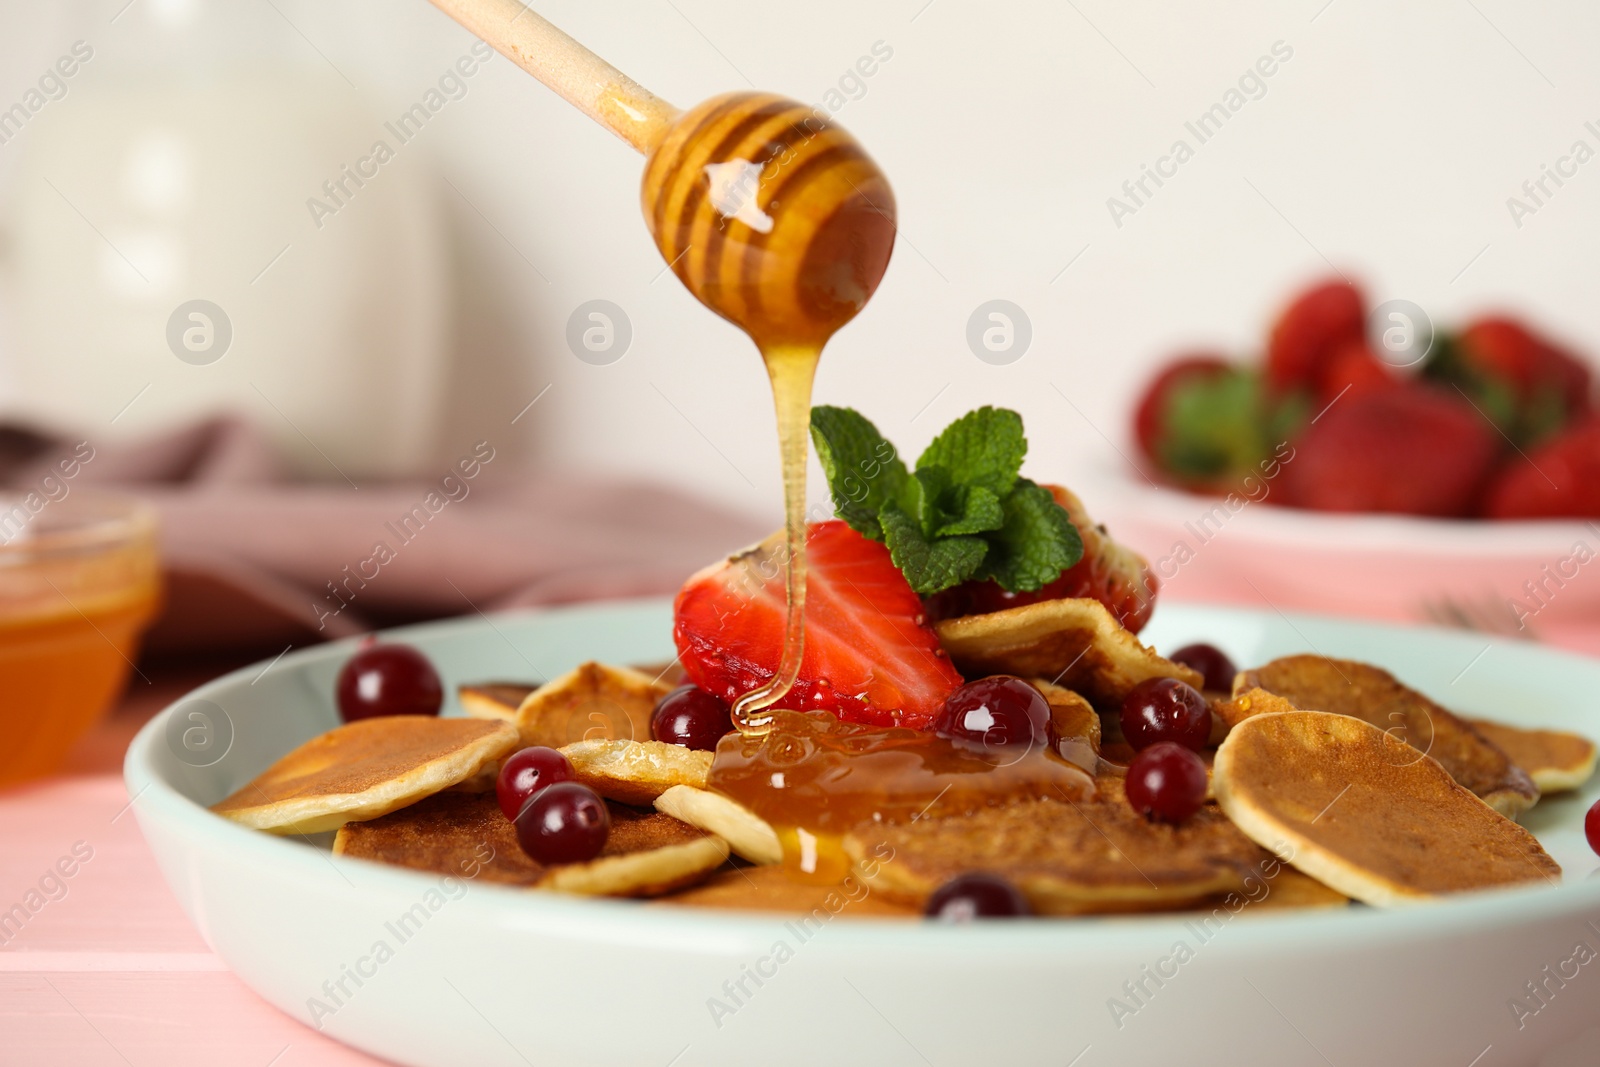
pixel 1500 577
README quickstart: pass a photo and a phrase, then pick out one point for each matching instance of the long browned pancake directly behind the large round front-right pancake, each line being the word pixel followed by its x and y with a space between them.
pixel 1375 697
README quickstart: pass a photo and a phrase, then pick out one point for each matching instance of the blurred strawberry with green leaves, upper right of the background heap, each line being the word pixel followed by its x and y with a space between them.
pixel 1529 386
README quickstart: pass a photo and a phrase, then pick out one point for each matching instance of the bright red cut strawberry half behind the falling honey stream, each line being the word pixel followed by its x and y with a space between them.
pixel 870 652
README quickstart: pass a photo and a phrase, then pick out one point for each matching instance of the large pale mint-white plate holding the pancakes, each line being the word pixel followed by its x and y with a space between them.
pixel 502 977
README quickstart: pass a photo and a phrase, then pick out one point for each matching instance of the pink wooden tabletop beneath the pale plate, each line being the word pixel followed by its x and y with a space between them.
pixel 111 972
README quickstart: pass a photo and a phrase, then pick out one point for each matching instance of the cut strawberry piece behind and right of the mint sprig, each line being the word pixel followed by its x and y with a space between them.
pixel 1110 572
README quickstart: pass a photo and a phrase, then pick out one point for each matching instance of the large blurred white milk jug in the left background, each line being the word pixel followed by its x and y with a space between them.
pixel 164 262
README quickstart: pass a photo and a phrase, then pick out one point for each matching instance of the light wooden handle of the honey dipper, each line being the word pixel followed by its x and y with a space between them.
pixel 585 79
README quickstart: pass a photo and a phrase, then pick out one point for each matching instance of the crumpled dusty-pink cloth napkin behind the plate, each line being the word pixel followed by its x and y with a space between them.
pixel 255 561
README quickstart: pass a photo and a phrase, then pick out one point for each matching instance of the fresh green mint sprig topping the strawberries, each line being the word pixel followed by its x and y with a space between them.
pixel 966 513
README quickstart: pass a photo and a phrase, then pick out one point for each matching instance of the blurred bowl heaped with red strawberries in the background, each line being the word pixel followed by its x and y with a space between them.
pixel 1372 465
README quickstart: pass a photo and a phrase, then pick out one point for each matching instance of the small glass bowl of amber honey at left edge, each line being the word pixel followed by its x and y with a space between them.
pixel 79 585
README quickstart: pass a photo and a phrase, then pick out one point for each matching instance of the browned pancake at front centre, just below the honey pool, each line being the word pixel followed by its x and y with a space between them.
pixel 1066 858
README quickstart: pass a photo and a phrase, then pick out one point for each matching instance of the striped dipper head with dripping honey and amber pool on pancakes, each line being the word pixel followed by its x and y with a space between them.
pixel 782 223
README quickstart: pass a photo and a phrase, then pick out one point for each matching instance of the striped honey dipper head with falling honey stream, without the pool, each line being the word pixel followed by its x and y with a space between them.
pixel 782 223
